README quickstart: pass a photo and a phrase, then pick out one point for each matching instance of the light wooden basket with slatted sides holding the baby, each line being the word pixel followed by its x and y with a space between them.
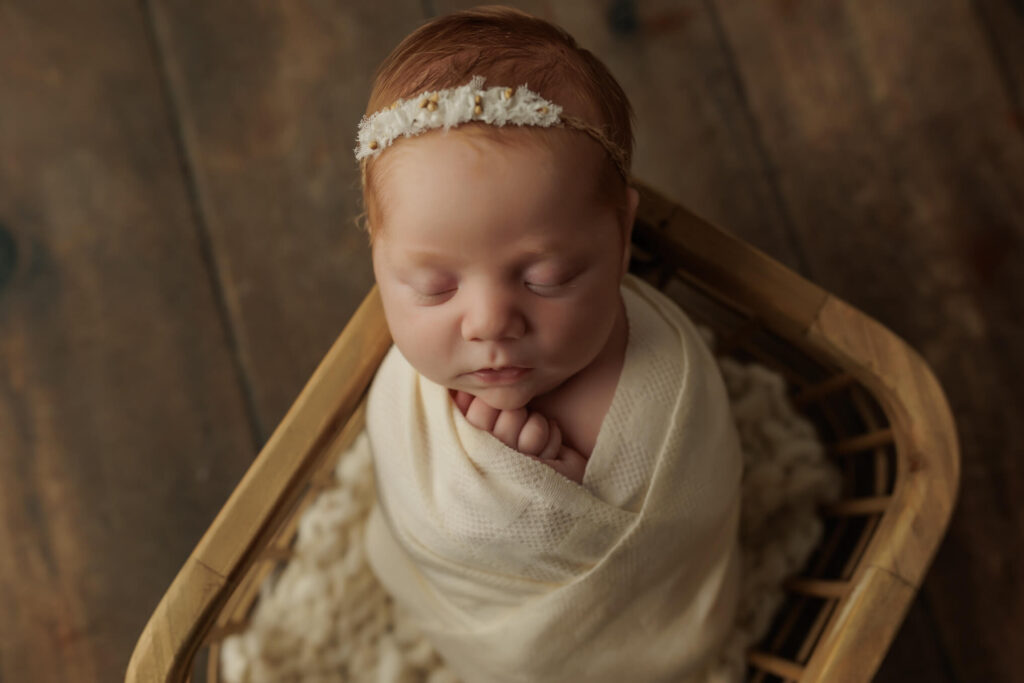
pixel 873 400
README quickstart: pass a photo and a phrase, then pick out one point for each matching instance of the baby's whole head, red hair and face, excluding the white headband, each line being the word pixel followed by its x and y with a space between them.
pixel 502 247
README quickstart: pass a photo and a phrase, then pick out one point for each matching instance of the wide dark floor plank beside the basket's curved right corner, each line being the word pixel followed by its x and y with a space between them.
pixel 904 177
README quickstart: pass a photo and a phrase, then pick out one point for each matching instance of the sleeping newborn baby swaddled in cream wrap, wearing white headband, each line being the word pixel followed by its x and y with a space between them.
pixel 558 472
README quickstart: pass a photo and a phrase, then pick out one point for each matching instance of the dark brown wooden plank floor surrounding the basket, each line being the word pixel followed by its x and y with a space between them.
pixel 178 253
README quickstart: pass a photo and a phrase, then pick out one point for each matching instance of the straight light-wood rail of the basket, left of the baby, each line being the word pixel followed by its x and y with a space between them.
pixel 264 501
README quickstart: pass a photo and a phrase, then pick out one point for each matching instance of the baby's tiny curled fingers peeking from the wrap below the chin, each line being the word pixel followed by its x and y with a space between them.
pixel 530 434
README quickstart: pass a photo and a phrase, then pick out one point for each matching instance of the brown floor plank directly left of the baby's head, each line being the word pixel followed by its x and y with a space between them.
pixel 269 99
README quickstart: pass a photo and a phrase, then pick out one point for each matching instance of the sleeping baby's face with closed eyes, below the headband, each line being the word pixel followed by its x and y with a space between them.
pixel 498 271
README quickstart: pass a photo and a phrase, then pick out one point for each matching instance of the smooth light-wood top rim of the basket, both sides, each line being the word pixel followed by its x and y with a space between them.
pixel 922 502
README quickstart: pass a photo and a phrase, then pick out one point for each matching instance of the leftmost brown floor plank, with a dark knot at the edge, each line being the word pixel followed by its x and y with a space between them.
pixel 122 418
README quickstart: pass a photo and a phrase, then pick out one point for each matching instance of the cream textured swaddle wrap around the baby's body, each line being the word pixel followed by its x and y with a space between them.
pixel 518 574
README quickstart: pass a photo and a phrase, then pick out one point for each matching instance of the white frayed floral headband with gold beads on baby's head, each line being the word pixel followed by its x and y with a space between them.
pixel 453 107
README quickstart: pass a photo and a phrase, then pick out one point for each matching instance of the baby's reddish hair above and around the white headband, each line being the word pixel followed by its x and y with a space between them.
pixel 507 48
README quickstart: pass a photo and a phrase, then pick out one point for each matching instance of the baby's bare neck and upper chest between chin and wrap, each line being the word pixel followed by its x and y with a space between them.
pixel 580 404
